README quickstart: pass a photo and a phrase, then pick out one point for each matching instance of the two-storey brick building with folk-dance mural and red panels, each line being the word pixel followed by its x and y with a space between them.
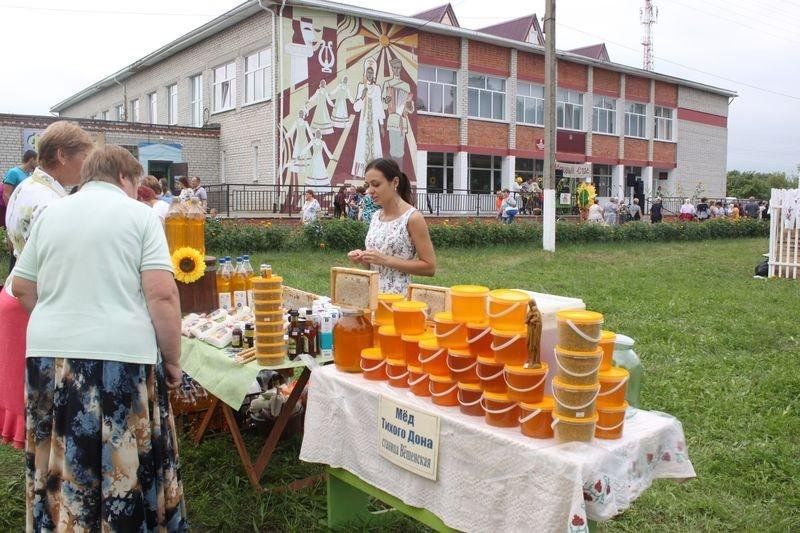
pixel 307 92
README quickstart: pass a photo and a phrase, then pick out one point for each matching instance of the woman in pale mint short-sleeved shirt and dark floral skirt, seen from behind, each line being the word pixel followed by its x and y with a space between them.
pixel 103 346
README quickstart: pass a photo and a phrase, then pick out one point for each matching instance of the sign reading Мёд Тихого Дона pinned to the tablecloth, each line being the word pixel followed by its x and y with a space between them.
pixel 408 437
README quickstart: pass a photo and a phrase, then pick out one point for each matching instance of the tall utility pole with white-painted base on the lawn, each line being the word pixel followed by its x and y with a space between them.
pixel 550 73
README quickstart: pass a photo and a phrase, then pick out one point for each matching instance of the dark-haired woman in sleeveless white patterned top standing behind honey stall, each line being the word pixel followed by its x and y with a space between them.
pixel 398 242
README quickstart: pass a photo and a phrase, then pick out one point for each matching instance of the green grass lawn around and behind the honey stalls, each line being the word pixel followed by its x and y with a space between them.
pixel 720 351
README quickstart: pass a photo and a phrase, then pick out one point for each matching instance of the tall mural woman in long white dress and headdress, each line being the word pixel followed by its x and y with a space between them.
pixel 369 107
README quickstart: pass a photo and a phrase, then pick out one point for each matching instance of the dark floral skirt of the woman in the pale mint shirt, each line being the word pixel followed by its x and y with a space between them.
pixel 101 449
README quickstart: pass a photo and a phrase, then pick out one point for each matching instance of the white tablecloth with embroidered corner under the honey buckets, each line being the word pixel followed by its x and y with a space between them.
pixel 493 479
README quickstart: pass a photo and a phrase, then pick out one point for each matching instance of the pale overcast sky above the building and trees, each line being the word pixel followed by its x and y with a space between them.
pixel 52 49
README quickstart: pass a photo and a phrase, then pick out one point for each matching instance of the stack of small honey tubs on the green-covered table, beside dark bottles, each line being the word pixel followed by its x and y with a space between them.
pixel 267 307
